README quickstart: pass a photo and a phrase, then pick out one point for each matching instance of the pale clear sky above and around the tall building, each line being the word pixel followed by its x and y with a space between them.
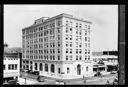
pixel 104 18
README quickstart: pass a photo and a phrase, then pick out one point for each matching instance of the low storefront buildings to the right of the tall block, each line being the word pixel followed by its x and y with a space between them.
pixel 104 63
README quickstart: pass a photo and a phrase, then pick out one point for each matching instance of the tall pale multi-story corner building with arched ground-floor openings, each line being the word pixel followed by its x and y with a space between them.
pixel 58 47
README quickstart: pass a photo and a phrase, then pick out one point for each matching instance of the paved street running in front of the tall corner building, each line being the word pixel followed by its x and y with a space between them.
pixel 90 81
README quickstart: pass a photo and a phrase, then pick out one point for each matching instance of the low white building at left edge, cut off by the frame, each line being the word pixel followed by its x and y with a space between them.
pixel 11 66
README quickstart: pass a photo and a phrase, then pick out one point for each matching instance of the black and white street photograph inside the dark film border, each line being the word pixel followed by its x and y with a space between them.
pixel 47 44
